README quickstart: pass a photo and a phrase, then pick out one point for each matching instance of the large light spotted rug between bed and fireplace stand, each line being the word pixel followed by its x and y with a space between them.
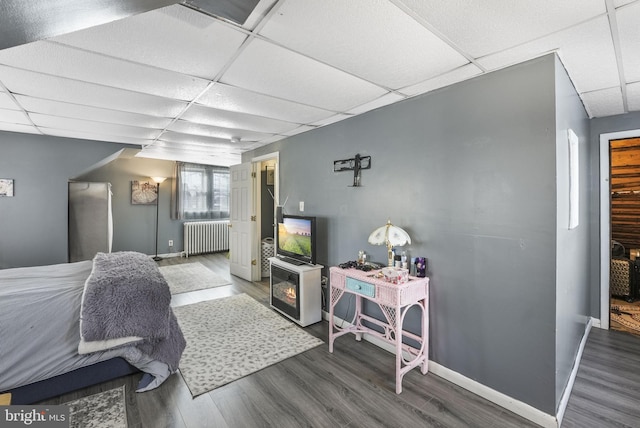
pixel 232 337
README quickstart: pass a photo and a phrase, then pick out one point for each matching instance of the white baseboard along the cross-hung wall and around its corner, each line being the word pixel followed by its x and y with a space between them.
pixel 518 407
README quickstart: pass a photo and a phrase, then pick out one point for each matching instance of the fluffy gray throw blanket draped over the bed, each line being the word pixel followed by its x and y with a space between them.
pixel 126 296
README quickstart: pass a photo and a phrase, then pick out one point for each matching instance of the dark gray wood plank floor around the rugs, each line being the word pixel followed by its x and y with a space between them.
pixel 351 387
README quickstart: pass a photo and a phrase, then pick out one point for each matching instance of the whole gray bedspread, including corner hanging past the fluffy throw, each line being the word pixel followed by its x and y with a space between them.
pixel 40 328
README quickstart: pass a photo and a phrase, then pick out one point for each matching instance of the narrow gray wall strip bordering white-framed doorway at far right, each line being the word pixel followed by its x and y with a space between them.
pixel 605 125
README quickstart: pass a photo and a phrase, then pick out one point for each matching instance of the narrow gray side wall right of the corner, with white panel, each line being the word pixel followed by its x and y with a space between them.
pixel 572 254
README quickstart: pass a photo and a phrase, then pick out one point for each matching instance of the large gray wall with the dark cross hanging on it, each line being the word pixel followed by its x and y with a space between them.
pixel 470 172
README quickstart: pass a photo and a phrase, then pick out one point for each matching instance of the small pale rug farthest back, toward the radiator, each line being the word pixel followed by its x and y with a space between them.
pixel 187 277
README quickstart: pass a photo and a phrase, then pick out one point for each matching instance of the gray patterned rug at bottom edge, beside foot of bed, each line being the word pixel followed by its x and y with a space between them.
pixel 103 410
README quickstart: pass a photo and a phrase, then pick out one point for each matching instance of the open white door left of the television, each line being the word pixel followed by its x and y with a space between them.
pixel 242 222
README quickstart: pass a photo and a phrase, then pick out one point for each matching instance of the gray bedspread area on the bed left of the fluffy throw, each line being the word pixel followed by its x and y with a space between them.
pixel 39 323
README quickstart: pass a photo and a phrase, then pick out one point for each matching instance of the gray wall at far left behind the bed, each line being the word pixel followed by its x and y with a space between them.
pixel 33 224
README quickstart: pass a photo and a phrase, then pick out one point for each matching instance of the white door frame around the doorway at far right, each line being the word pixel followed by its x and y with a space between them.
pixel 605 219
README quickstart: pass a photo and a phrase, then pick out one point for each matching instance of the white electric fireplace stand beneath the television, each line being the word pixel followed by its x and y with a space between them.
pixel 295 291
